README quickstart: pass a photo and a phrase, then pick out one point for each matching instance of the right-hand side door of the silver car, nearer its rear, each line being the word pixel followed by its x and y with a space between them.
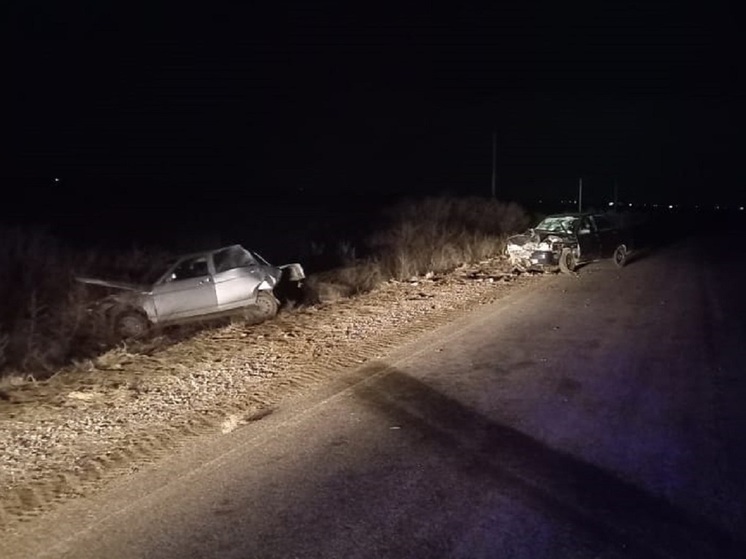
pixel 237 276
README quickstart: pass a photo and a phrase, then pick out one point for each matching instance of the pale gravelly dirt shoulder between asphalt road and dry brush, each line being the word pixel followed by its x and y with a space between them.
pixel 67 436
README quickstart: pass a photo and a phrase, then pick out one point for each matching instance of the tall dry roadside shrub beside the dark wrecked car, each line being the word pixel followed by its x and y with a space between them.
pixel 437 234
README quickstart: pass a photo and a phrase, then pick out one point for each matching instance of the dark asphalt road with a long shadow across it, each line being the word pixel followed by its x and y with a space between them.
pixel 593 416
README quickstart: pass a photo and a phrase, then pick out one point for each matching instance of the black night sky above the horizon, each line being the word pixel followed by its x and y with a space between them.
pixel 176 107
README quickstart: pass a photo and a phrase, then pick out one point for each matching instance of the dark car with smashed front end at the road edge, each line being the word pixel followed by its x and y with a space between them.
pixel 567 240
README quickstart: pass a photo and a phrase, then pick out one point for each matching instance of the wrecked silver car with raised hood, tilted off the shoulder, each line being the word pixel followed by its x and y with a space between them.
pixel 228 281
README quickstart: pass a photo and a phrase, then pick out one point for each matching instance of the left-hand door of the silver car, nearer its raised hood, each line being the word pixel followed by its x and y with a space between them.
pixel 187 290
